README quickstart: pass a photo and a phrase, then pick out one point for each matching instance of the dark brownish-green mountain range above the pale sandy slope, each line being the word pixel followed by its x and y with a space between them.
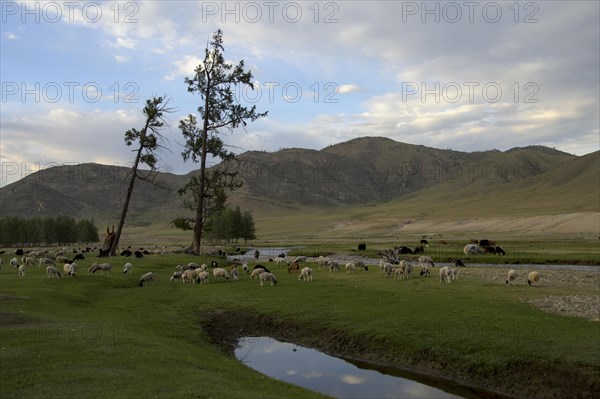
pixel 367 171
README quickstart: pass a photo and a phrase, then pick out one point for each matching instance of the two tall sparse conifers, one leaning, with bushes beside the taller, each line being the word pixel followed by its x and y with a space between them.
pixel 215 81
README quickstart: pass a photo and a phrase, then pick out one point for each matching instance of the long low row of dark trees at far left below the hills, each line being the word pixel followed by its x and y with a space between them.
pixel 46 230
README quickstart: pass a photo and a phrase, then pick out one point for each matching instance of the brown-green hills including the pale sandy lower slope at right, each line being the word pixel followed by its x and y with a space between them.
pixel 368 186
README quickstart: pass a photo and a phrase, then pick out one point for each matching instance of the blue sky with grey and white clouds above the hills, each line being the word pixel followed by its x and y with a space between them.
pixel 466 76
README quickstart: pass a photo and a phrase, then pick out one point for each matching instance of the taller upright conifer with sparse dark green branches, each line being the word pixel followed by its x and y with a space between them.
pixel 215 81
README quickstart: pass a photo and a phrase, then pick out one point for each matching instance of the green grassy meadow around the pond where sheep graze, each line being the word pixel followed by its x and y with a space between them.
pixel 103 336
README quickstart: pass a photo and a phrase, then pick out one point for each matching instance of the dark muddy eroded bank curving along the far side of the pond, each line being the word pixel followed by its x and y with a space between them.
pixel 524 380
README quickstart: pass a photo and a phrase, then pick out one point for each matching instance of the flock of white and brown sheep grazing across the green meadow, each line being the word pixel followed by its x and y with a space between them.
pixel 194 273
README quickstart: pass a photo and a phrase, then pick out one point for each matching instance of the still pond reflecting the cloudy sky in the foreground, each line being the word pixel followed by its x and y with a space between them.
pixel 326 374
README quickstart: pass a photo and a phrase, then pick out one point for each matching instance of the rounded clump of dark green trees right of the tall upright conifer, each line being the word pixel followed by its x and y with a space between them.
pixel 231 225
